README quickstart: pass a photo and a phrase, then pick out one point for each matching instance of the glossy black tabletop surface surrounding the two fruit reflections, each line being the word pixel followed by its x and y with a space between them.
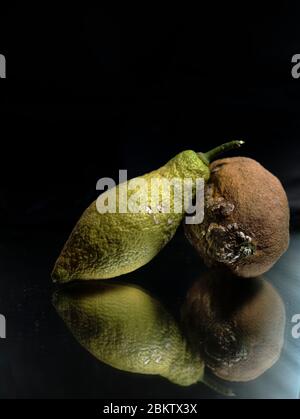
pixel 40 357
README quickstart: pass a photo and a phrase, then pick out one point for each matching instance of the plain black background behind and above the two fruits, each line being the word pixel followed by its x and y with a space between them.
pixel 90 90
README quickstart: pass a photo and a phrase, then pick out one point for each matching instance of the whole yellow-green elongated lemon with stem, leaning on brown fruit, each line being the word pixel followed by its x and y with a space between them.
pixel 108 244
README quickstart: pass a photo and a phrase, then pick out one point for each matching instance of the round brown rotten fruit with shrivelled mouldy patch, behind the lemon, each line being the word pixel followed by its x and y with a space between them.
pixel 246 218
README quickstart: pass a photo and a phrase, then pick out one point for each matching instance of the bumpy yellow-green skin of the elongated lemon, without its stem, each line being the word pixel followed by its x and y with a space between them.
pixel 111 244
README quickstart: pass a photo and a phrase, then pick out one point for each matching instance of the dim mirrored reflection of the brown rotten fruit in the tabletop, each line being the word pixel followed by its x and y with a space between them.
pixel 237 327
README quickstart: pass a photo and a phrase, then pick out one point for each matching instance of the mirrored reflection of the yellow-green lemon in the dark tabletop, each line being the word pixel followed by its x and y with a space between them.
pixel 126 328
